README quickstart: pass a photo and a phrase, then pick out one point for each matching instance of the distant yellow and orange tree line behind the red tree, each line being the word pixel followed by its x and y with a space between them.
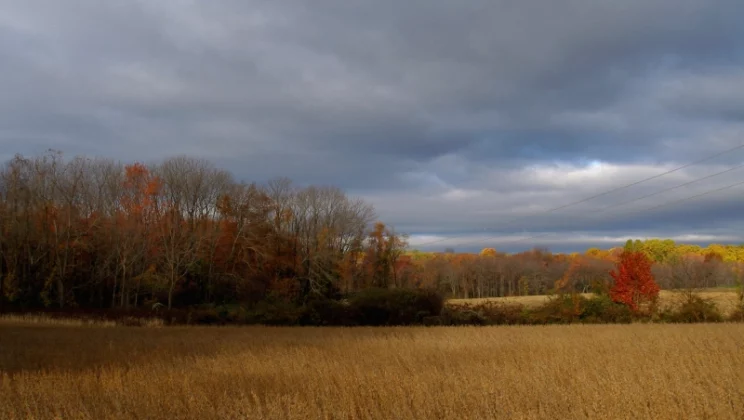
pixel 538 271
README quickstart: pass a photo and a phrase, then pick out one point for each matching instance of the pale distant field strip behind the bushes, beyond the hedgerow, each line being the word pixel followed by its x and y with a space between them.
pixel 725 299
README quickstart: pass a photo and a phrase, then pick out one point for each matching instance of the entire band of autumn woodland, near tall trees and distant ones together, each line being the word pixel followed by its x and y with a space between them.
pixel 104 234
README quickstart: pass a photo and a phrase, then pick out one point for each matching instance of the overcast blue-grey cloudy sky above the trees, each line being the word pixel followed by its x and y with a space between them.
pixel 464 123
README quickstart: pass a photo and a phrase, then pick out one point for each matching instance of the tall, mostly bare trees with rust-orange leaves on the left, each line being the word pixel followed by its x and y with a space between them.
pixel 99 233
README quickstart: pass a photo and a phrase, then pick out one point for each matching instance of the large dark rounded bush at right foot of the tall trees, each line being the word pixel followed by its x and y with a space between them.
pixel 395 306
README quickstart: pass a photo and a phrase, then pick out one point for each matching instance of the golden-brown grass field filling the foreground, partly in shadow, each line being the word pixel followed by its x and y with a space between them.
pixel 557 372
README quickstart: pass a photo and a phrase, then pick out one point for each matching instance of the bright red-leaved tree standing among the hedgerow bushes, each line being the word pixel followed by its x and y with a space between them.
pixel 634 282
